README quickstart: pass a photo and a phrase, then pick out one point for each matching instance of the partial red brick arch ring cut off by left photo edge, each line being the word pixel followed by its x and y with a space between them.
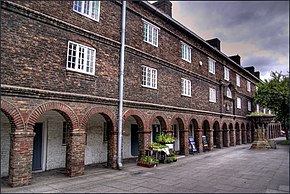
pixel 14 116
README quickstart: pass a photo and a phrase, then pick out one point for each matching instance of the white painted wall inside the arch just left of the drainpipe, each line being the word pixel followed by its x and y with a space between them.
pixel 96 148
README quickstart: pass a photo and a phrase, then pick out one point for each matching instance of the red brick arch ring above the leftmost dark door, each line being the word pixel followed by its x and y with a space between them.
pixel 63 109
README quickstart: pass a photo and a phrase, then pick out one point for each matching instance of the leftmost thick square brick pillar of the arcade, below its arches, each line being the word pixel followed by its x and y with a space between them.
pixel 20 161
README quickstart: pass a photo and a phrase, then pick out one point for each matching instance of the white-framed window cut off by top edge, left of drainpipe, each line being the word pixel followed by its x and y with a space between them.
pixel 89 9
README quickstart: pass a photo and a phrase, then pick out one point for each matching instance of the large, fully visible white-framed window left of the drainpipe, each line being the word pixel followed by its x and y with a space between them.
pixel 81 58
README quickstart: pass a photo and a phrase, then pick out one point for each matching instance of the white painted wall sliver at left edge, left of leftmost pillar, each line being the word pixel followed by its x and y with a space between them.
pixel 5 144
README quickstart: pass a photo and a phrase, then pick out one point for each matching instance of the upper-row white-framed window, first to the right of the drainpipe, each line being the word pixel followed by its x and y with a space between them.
pixel 151 33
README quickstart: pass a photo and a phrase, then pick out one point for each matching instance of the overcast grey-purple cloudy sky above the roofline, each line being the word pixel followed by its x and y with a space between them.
pixel 256 30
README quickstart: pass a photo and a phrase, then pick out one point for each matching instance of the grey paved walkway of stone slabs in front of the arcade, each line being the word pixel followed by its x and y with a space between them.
pixel 235 169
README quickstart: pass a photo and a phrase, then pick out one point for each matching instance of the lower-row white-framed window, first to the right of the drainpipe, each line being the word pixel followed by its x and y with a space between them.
pixel 149 77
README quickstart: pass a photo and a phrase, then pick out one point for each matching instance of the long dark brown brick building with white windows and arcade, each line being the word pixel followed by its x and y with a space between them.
pixel 60 77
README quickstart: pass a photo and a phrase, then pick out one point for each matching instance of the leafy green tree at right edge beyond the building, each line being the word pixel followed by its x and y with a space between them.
pixel 274 94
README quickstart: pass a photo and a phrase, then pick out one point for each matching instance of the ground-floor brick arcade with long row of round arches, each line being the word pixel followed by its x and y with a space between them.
pixel 55 134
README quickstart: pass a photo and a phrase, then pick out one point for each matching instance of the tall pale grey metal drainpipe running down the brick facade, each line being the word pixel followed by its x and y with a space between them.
pixel 120 119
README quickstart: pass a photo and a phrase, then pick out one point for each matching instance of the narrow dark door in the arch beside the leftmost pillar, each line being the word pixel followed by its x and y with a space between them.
pixel 37 147
